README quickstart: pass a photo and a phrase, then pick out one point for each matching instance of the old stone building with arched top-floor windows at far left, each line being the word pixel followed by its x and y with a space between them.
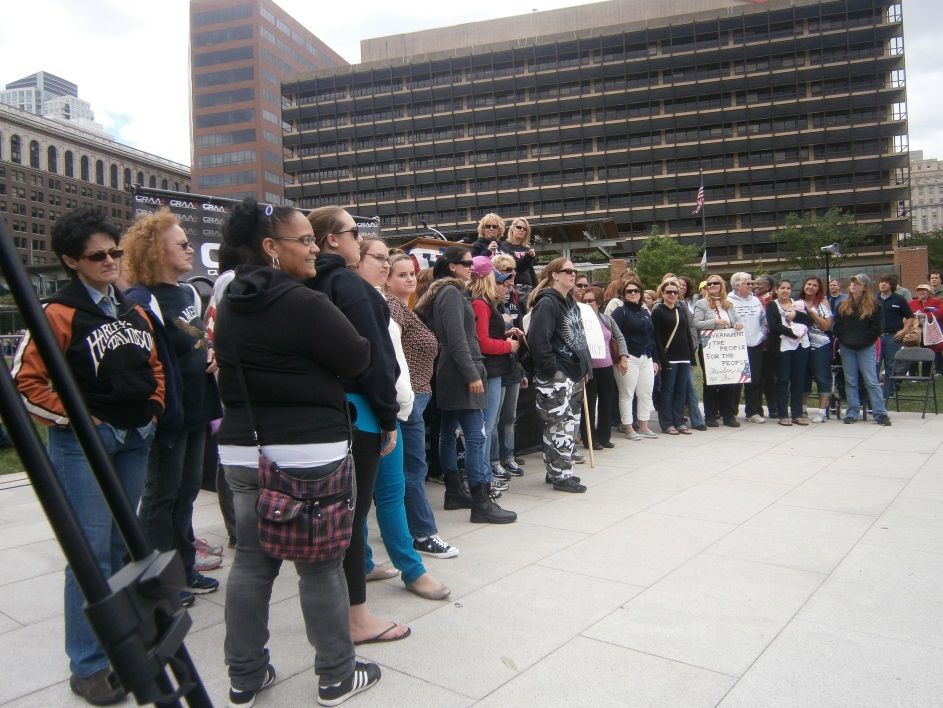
pixel 48 167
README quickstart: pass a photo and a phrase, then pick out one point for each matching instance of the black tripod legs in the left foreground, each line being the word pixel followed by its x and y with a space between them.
pixel 136 614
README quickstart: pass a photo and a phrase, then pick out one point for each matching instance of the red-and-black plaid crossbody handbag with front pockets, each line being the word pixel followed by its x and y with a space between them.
pixel 302 520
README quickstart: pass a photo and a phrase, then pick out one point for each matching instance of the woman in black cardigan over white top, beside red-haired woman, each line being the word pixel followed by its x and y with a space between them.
pixel 789 325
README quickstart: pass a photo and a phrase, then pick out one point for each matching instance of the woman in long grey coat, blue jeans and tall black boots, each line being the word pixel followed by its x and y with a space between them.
pixel 460 387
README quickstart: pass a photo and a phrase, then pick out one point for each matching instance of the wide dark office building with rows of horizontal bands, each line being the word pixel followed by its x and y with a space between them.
pixel 599 122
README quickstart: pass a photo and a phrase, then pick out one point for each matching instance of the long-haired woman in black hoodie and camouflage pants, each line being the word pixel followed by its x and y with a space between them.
pixel 557 344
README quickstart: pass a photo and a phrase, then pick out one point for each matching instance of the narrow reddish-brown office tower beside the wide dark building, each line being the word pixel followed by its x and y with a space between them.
pixel 240 52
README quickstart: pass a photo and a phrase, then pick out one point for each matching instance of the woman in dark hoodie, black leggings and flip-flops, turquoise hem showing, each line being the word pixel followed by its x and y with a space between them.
pixel 372 392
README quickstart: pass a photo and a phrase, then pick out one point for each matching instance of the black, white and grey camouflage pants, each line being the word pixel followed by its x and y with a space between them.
pixel 559 402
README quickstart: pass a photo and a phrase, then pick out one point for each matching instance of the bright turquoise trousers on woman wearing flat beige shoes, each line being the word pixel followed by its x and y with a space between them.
pixel 389 494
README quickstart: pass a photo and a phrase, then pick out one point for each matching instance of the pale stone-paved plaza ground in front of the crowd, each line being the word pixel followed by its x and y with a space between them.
pixel 763 566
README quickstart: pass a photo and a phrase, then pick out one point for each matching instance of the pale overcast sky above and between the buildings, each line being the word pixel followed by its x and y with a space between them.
pixel 129 59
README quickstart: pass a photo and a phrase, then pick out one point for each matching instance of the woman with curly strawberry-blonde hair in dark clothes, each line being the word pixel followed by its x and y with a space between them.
pixel 157 254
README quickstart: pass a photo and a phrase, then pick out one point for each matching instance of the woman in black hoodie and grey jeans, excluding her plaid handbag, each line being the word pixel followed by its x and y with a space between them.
pixel 266 318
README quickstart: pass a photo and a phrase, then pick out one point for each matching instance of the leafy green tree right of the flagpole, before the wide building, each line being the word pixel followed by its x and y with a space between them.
pixel 804 238
